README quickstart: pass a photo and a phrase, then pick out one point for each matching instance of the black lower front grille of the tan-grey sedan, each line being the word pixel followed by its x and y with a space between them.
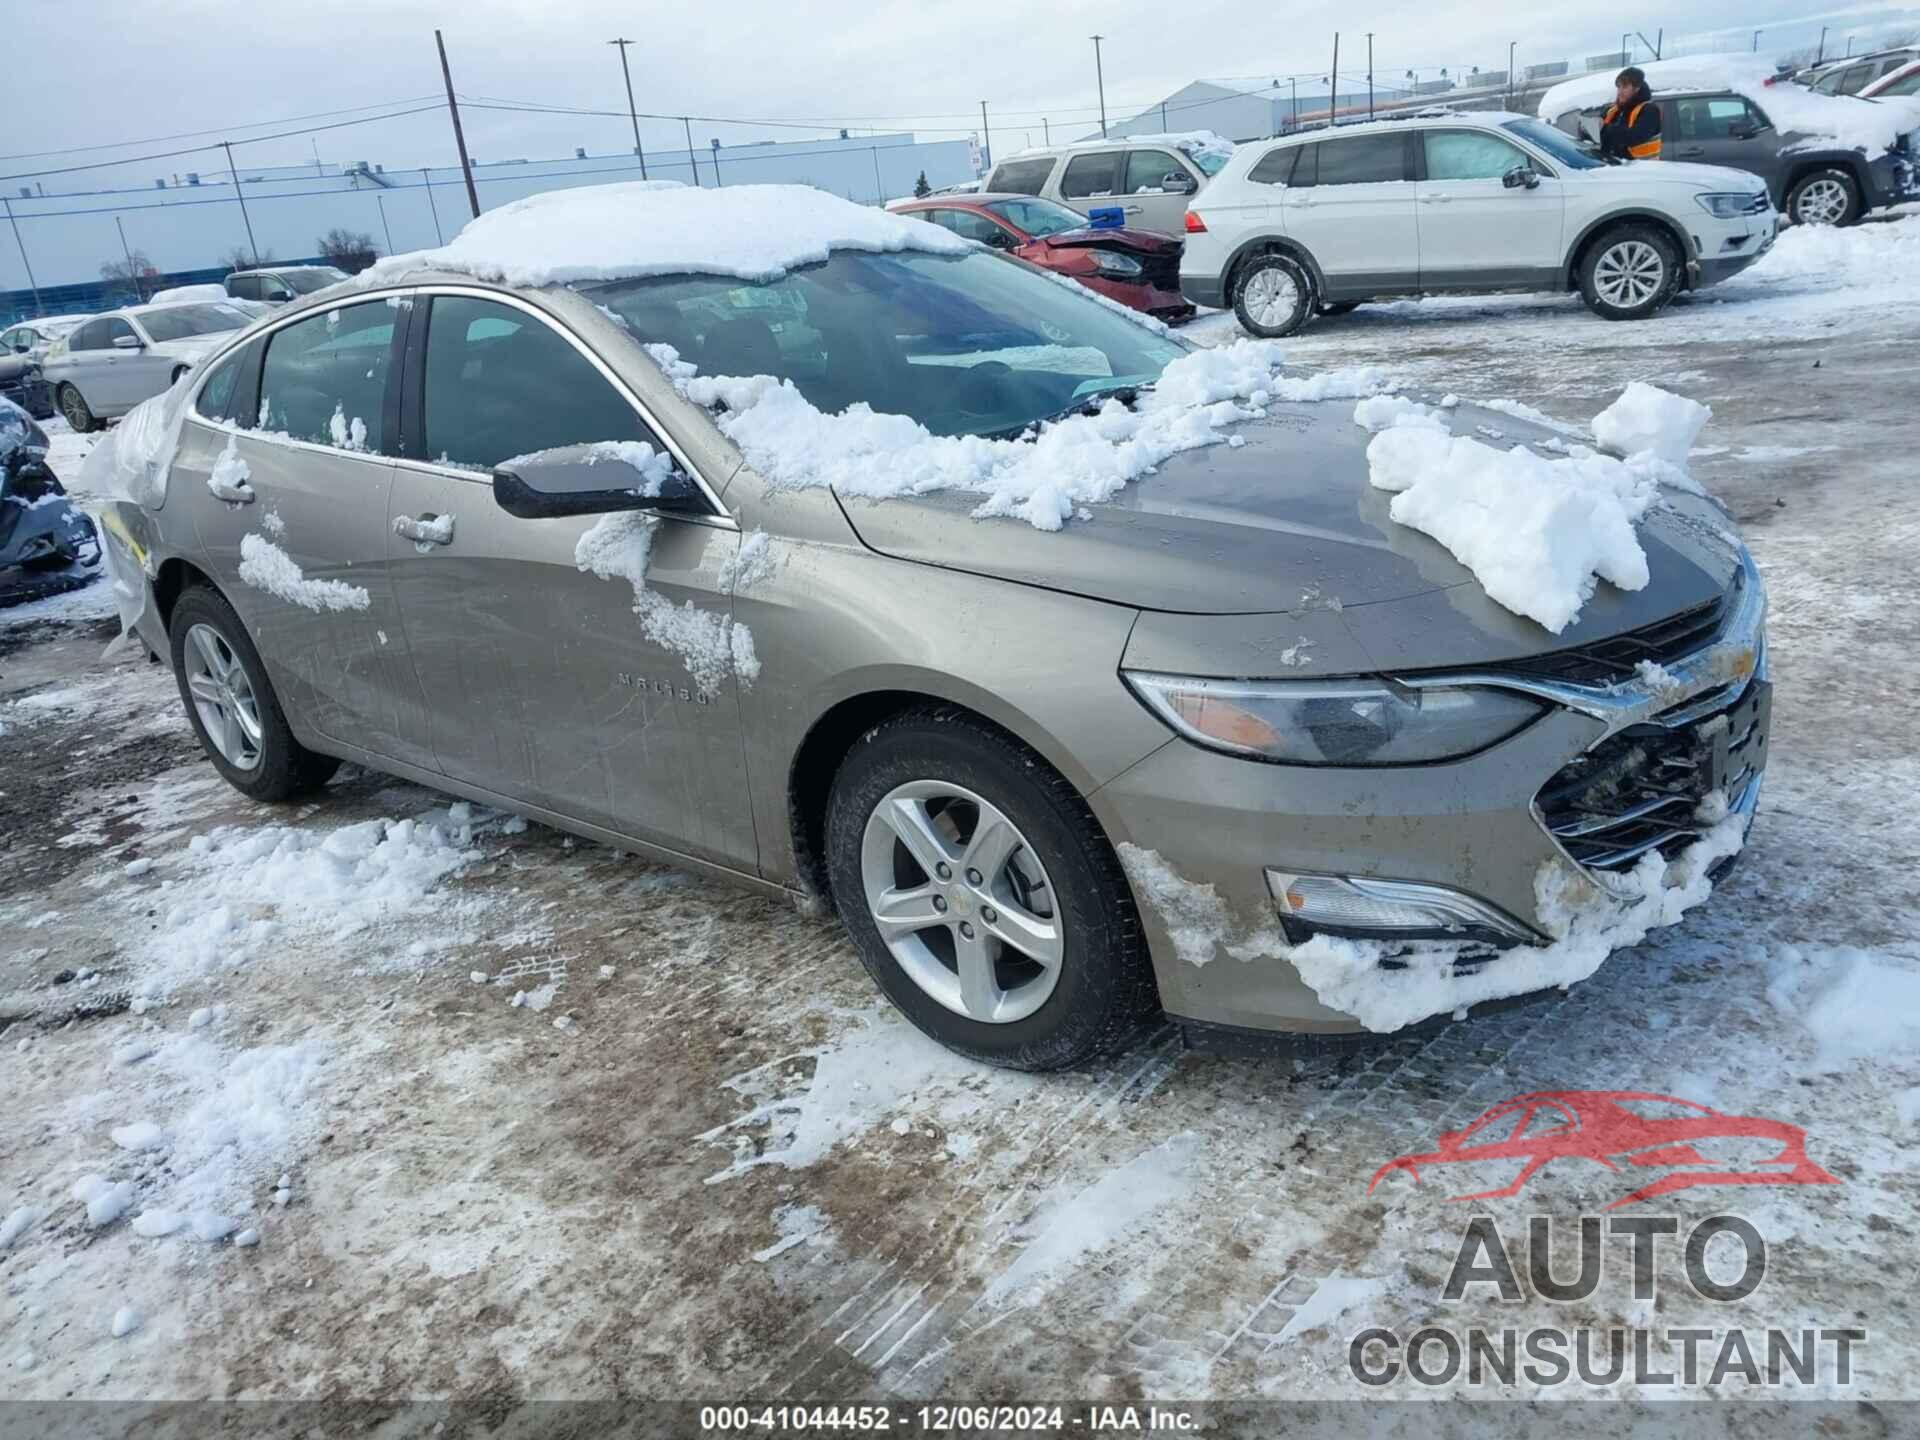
pixel 1643 788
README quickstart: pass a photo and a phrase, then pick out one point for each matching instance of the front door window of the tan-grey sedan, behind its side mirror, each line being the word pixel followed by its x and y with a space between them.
pixel 502 383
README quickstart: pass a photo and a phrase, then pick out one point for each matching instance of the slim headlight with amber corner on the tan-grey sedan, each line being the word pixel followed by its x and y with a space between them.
pixel 1345 723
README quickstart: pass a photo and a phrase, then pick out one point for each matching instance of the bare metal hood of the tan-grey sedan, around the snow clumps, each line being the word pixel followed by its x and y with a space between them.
pixel 1291 523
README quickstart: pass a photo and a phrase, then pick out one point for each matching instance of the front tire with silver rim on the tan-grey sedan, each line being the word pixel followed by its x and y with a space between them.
pixel 984 898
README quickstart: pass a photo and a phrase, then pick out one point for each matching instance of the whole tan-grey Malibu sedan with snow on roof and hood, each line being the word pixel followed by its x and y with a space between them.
pixel 1088 673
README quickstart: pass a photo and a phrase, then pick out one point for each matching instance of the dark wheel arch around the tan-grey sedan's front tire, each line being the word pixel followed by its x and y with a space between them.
pixel 819 756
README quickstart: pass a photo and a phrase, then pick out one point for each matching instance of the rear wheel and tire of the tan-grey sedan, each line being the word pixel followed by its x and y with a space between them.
pixel 231 704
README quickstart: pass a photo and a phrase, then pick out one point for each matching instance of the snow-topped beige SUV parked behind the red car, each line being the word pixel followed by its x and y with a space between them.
pixel 1147 178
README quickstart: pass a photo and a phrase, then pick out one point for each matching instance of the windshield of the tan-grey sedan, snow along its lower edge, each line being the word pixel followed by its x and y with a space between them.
pixel 965 345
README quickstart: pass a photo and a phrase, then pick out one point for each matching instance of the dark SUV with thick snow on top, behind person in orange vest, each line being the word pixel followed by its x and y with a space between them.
pixel 1827 158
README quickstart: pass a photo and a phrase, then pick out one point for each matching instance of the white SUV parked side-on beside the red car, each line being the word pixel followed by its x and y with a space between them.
pixel 1460 204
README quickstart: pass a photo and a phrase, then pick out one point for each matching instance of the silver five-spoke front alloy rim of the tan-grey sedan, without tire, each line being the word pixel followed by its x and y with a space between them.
pixel 963 901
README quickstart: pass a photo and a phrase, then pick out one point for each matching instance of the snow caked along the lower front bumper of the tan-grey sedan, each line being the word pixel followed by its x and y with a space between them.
pixel 1589 924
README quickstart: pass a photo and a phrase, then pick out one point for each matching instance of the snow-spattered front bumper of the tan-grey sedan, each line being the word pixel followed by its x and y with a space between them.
pixel 1472 827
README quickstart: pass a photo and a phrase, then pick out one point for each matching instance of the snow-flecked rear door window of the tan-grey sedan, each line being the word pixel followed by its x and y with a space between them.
pixel 325 377
